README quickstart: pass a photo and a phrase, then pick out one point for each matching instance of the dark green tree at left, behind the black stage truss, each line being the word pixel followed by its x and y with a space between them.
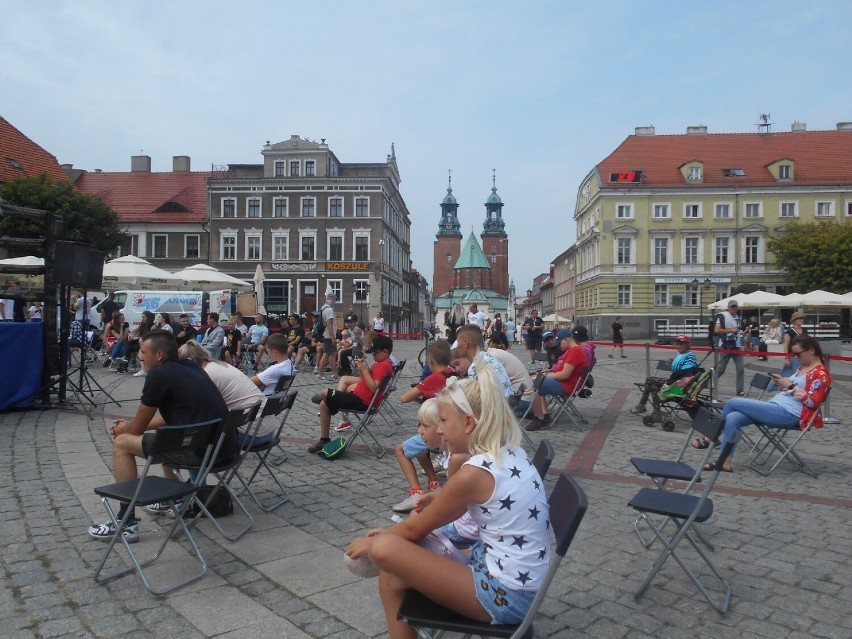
pixel 90 220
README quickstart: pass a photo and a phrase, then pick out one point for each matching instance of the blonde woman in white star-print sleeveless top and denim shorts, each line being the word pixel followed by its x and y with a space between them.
pixel 504 495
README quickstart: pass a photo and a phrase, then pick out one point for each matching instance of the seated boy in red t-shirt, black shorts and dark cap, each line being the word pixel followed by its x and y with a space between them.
pixel 354 393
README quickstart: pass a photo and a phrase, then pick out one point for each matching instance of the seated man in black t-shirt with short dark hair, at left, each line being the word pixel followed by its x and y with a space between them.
pixel 182 393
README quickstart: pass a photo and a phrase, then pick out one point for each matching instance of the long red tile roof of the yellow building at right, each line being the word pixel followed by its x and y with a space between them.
pixel 819 157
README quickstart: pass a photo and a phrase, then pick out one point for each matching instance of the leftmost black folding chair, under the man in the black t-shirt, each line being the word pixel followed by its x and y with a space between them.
pixel 152 489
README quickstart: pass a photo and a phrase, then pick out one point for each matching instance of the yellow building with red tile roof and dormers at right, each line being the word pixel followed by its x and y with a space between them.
pixel 668 224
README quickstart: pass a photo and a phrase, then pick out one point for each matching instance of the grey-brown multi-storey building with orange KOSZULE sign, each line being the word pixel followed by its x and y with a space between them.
pixel 315 224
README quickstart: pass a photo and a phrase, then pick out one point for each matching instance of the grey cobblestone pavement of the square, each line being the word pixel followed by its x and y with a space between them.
pixel 782 541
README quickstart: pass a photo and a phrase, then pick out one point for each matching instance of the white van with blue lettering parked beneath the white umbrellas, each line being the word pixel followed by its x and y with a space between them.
pixel 196 304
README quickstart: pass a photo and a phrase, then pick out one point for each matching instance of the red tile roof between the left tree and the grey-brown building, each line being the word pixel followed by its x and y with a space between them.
pixel 137 196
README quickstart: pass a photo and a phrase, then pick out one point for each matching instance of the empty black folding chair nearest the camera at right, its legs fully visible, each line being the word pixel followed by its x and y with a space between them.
pixel 684 511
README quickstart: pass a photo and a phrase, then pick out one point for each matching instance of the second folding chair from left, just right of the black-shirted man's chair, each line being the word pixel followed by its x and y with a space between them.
pixel 224 471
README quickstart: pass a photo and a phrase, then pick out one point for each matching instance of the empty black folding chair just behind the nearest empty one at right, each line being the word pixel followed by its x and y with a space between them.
pixel 661 471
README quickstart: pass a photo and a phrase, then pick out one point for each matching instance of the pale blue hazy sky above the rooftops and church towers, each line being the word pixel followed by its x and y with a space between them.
pixel 540 91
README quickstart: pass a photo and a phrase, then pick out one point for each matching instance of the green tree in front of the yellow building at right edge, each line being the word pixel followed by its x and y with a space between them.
pixel 816 255
